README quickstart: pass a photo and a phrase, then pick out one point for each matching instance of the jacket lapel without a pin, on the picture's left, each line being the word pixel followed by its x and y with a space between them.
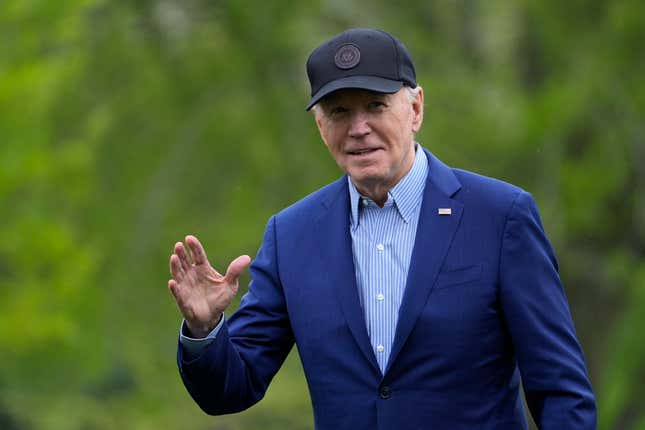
pixel 338 260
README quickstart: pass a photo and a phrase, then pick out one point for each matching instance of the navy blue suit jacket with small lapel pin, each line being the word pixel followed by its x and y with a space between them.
pixel 483 308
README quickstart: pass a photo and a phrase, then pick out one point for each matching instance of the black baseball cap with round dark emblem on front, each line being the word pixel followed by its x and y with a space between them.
pixel 361 58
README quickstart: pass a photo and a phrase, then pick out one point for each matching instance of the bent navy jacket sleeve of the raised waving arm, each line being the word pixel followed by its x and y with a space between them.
pixel 233 372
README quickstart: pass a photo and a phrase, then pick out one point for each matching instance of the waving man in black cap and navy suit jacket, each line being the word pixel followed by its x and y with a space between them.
pixel 418 295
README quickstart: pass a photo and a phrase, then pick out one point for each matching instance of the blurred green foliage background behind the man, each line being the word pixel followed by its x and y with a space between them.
pixel 127 124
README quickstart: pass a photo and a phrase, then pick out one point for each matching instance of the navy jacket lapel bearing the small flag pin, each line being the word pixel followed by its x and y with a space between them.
pixel 435 233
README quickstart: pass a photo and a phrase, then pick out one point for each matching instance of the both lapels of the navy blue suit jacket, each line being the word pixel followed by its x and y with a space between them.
pixel 435 233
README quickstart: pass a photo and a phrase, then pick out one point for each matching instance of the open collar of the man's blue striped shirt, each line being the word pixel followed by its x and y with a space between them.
pixel 406 194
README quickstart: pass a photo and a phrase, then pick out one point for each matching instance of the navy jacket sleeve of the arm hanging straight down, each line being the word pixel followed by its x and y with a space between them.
pixel 550 359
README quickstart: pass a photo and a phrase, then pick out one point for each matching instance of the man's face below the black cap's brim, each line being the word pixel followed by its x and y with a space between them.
pixel 371 135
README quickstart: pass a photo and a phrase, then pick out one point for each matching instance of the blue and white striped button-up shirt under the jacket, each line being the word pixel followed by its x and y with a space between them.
pixel 382 242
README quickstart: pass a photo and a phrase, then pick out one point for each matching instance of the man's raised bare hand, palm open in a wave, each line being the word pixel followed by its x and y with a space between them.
pixel 202 293
